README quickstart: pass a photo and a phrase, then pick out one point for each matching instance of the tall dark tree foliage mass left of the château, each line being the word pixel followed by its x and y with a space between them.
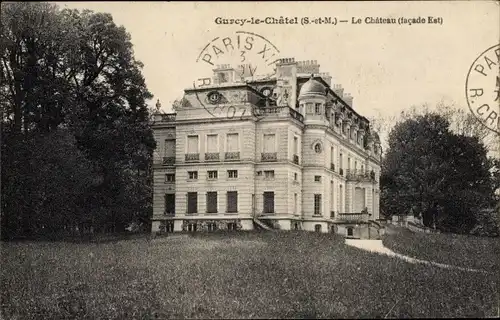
pixel 70 78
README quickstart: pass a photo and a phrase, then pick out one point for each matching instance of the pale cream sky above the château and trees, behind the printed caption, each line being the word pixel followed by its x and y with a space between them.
pixel 386 67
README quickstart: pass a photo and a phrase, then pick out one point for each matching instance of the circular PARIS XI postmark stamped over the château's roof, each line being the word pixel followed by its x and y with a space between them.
pixel 227 64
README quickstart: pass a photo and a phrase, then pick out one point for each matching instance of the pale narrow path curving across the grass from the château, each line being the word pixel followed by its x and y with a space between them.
pixel 378 247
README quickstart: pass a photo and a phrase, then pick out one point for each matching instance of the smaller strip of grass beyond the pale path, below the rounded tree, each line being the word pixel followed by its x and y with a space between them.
pixel 458 250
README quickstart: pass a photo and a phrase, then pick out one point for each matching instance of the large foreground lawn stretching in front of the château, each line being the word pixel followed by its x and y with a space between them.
pixel 238 275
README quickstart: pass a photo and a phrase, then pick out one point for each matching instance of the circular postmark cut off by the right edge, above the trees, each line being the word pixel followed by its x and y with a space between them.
pixel 482 88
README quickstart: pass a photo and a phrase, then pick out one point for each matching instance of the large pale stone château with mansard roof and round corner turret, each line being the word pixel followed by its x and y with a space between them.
pixel 286 151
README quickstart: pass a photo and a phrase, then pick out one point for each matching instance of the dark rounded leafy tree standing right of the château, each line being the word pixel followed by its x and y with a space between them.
pixel 443 176
